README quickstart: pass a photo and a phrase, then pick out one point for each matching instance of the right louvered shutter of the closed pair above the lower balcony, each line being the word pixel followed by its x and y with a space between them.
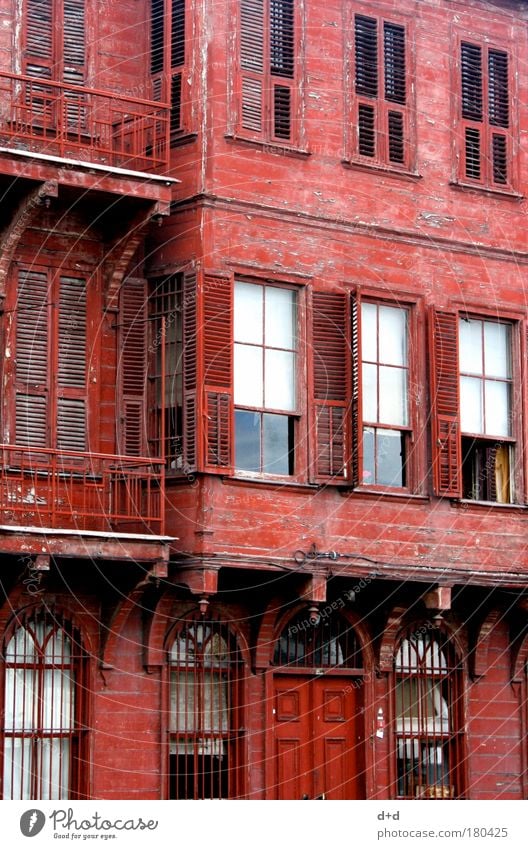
pixel 71 425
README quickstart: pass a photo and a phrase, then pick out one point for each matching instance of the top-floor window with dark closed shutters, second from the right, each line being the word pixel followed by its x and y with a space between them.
pixel 381 92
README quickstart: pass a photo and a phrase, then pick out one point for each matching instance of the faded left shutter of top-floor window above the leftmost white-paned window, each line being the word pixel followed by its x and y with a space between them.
pixel 252 65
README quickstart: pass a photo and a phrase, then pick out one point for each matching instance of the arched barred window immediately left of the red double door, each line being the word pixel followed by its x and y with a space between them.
pixel 205 727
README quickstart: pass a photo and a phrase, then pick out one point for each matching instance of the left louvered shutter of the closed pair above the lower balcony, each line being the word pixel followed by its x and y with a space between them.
pixel 32 359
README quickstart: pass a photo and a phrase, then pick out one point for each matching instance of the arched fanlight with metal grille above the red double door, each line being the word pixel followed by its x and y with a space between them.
pixel 326 643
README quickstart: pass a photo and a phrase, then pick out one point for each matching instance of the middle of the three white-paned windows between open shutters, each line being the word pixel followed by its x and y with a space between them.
pixel 385 404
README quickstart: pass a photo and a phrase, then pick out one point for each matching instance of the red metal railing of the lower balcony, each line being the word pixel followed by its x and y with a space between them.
pixel 99 492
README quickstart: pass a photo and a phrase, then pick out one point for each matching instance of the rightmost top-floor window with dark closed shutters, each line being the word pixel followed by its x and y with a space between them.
pixel 485 116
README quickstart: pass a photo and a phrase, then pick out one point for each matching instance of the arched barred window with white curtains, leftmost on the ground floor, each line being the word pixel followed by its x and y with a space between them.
pixel 42 733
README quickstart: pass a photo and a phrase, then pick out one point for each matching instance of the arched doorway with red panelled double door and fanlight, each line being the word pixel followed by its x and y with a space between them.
pixel 316 711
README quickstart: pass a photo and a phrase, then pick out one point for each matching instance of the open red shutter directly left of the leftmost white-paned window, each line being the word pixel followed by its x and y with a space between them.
pixel 218 372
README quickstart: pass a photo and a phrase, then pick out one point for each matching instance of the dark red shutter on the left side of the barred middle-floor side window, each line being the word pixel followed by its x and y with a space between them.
pixel 132 366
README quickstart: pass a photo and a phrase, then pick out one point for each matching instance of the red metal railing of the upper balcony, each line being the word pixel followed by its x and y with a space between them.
pixel 82 123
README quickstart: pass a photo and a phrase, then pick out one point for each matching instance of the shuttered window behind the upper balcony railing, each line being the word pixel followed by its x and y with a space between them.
pixel 54 48
